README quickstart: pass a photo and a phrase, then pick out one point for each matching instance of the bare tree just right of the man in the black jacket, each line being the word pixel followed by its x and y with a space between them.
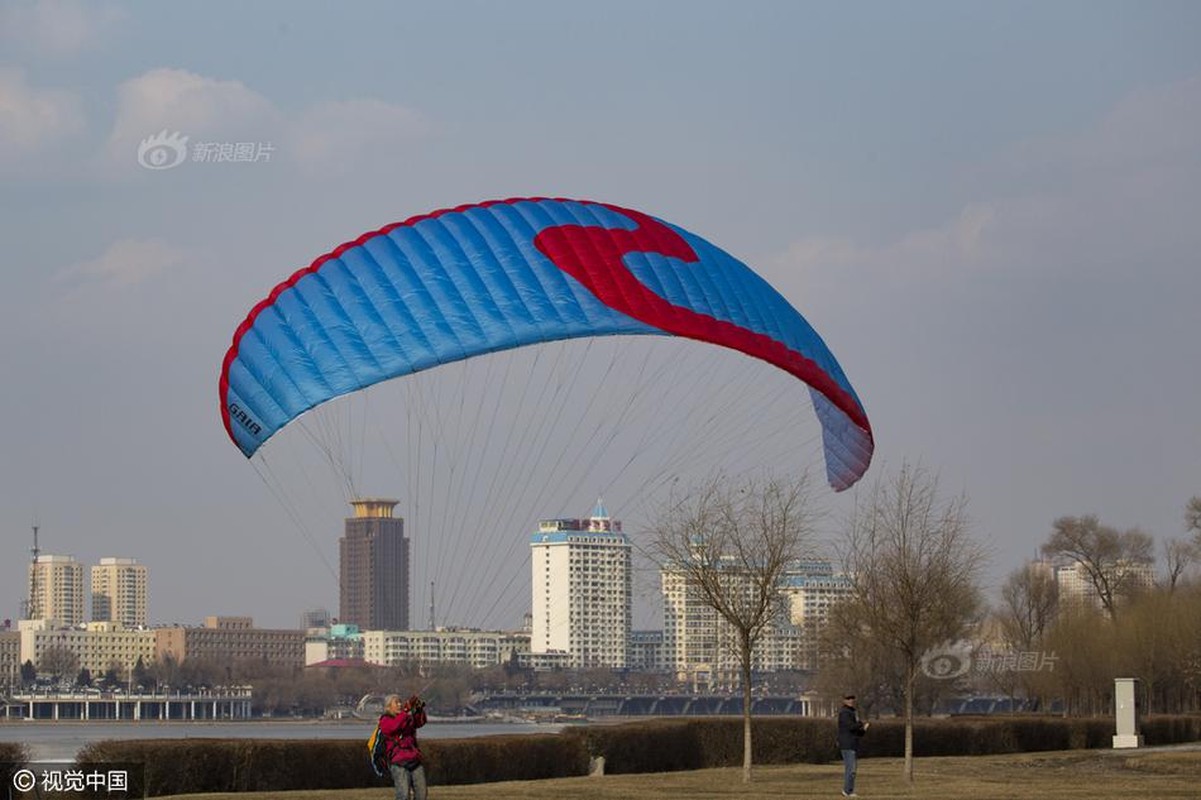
pixel 916 571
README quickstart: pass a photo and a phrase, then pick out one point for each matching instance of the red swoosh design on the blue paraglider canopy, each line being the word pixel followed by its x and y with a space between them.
pixel 595 258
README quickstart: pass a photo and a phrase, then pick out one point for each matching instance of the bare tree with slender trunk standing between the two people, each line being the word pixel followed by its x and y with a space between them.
pixel 733 544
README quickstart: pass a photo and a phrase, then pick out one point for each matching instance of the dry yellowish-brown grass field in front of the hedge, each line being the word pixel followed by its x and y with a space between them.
pixel 1094 775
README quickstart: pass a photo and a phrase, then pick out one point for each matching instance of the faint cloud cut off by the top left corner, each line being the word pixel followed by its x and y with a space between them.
pixel 57 28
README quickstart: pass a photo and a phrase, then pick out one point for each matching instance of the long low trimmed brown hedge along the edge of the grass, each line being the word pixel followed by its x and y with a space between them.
pixel 656 745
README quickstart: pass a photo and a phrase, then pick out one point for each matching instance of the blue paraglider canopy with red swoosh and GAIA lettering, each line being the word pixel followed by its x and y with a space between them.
pixel 477 279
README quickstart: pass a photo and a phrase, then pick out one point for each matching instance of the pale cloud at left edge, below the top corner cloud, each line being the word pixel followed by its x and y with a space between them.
pixel 33 120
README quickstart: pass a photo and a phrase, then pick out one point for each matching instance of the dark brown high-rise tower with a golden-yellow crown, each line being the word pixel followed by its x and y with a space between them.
pixel 374 565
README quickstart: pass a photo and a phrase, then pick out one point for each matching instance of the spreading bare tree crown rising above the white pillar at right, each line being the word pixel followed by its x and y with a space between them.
pixel 1112 560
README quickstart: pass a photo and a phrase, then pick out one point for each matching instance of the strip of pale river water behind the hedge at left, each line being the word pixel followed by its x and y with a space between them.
pixel 59 742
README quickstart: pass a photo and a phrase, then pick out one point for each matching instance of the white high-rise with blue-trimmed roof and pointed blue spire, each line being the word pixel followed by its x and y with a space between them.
pixel 582 590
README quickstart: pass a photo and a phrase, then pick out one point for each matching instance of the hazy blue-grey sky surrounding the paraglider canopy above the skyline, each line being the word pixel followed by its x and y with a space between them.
pixel 988 211
